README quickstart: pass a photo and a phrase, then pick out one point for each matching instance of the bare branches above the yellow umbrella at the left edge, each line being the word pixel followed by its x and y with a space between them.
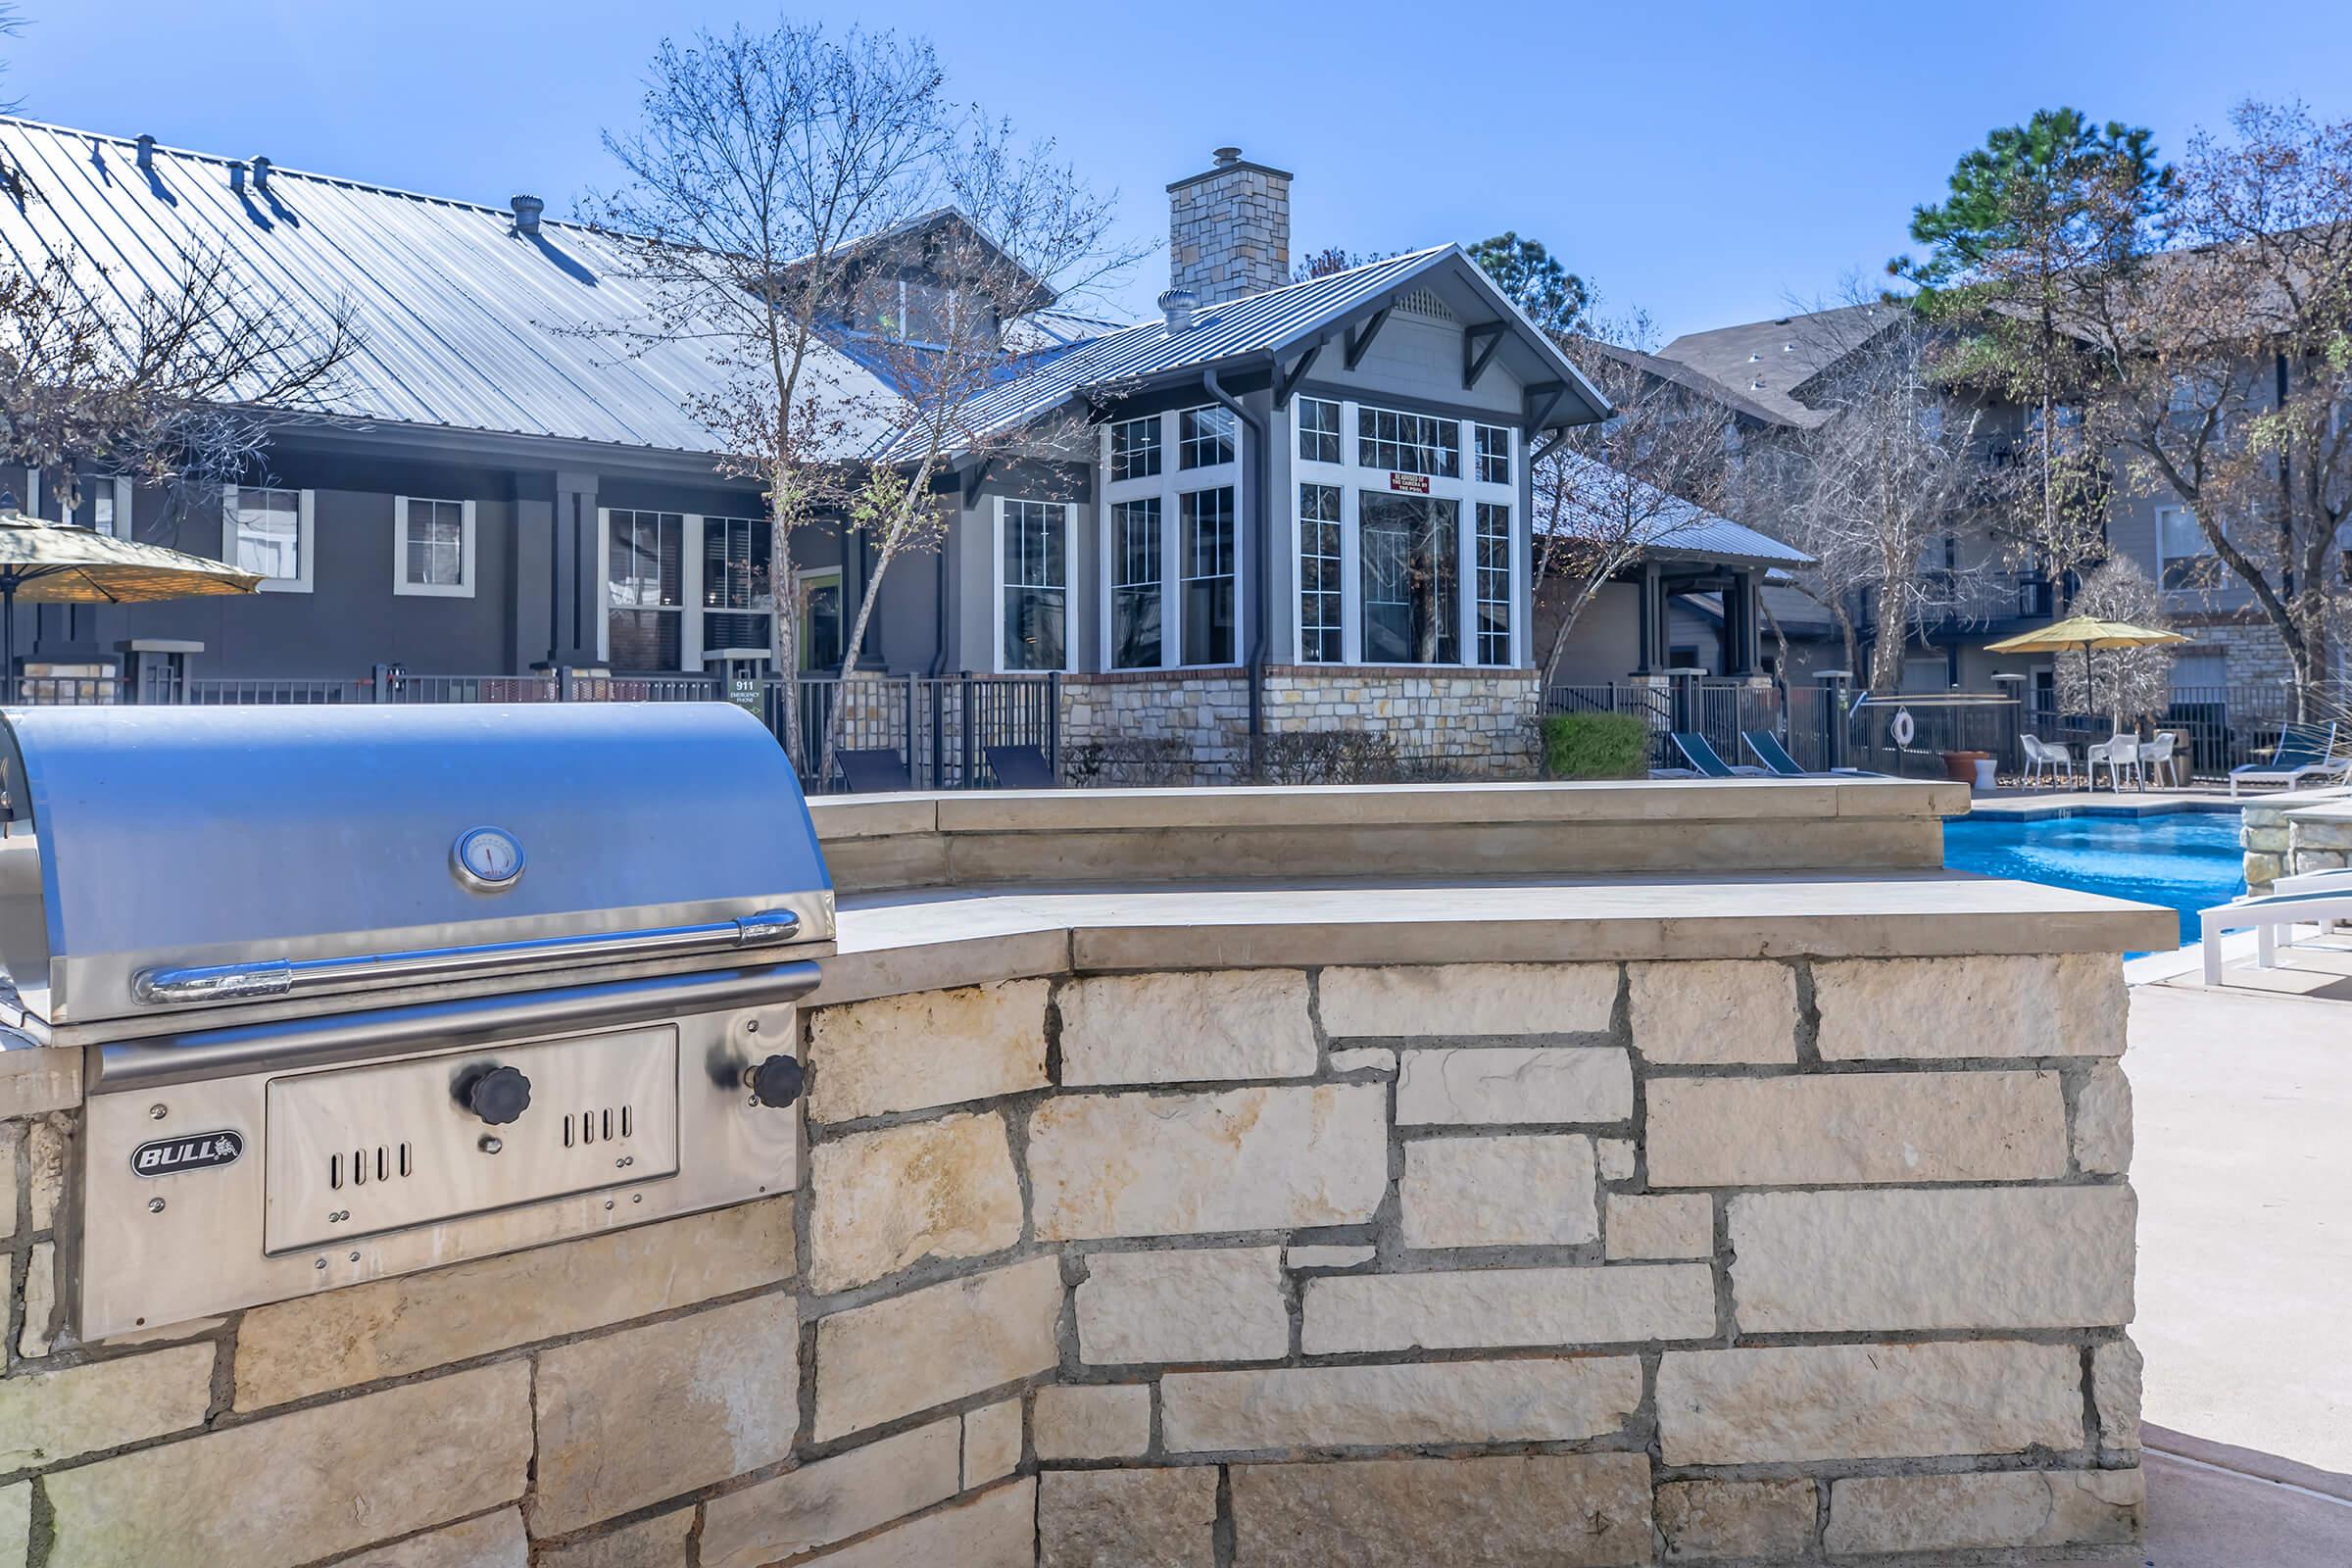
pixel 173 384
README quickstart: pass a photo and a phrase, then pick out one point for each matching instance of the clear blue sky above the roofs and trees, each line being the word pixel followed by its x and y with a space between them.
pixel 1709 163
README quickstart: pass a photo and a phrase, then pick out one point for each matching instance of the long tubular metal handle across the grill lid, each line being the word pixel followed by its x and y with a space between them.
pixel 286 977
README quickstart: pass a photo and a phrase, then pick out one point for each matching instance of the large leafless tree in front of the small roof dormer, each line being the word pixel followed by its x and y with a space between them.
pixel 843 241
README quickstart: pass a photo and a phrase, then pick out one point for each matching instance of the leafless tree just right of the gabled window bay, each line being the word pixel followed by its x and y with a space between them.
pixel 1610 492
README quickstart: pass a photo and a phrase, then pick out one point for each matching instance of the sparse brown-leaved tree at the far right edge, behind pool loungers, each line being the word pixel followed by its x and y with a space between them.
pixel 2231 366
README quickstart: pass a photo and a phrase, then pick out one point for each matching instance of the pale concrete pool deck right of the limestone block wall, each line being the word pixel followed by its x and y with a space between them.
pixel 2245 1308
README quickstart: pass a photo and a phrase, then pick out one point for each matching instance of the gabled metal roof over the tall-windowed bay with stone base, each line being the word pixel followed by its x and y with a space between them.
pixel 1271 323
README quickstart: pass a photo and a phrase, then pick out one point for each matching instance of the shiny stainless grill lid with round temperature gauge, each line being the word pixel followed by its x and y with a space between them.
pixel 293 840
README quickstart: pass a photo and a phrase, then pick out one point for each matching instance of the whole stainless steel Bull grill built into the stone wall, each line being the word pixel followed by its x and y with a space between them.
pixel 363 991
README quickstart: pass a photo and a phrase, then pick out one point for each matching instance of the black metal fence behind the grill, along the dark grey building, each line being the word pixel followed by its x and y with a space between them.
pixel 940 728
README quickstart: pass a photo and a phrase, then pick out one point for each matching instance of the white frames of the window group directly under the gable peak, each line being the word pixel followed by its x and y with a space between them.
pixel 1466 490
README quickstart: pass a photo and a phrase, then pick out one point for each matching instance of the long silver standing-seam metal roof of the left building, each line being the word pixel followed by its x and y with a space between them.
pixel 462 319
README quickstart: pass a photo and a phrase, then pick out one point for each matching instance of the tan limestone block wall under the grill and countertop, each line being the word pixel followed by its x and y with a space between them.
pixel 1591 1264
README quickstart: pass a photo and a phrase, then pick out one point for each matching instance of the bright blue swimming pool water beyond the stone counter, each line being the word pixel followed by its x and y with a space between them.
pixel 2181 859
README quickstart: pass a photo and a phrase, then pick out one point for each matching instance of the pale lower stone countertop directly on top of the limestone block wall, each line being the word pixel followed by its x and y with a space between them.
pixel 968 937
